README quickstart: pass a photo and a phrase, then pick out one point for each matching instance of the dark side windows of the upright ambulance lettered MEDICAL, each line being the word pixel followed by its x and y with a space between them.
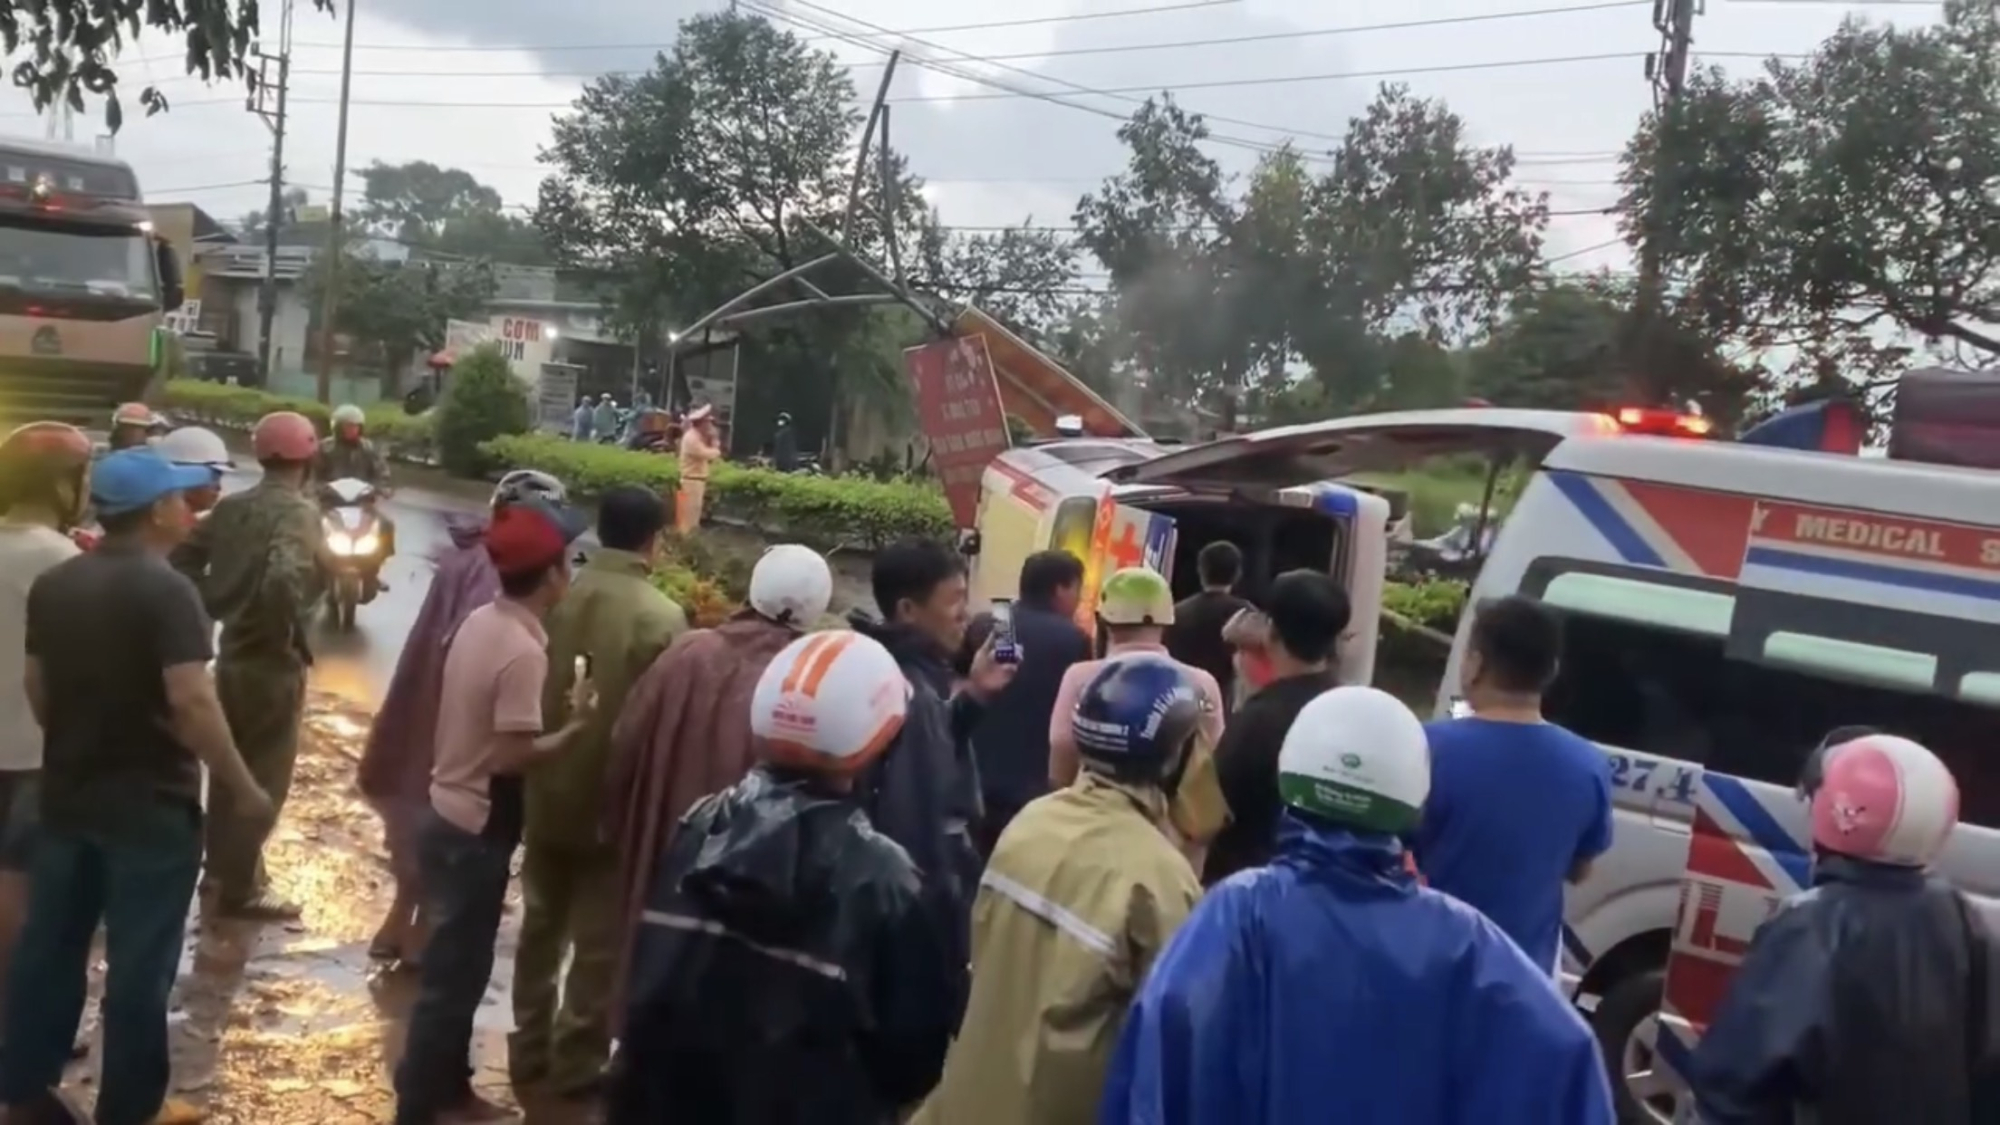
pixel 1647 672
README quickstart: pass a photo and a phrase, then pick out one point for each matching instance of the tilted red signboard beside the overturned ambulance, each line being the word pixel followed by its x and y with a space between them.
pixel 959 411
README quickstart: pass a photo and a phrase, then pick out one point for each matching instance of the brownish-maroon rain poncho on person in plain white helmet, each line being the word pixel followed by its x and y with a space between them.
pixel 685 734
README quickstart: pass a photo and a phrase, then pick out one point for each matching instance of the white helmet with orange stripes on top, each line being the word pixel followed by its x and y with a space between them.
pixel 831 702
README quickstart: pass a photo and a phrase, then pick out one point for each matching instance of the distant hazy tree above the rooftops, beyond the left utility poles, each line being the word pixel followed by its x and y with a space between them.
pixel 445 211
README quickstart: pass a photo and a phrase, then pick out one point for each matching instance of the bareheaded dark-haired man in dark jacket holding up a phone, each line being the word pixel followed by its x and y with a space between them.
pixel 925 792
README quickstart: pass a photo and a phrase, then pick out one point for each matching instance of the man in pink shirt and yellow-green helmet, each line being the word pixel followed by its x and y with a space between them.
pixel 1137 606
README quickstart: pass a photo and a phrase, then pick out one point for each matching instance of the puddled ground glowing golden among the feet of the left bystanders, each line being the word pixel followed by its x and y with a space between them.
pixel 291 1024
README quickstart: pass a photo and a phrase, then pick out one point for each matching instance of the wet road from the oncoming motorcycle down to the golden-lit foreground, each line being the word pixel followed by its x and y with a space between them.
pixel 291 1024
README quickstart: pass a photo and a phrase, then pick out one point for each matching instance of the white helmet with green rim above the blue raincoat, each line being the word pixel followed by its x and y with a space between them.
pixel 1357 758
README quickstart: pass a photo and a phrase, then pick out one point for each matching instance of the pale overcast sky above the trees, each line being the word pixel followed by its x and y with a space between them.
pixel 473 85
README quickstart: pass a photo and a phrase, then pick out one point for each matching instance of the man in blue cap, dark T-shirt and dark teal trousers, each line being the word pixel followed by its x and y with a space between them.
pixel 117 672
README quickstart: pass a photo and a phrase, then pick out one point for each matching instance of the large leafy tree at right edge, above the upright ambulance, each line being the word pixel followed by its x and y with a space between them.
pixel 1839 205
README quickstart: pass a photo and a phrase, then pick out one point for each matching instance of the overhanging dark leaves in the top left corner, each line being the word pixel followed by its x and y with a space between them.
pixel 73 45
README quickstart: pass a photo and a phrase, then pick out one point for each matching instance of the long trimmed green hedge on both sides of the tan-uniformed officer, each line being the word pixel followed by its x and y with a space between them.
pixel 815 509
